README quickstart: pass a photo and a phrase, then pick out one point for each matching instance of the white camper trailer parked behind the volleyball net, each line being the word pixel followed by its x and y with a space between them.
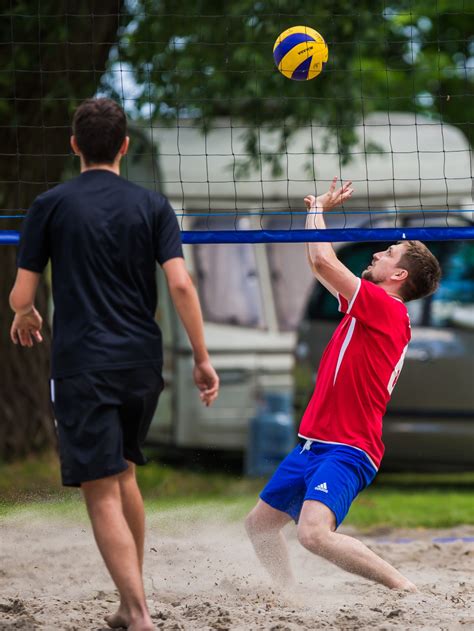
pixel 253 295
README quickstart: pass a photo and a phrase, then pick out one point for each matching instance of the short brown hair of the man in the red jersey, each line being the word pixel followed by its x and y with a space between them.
pixel 424 272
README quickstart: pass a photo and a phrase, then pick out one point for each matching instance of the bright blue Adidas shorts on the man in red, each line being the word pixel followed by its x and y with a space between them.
pixel 331 474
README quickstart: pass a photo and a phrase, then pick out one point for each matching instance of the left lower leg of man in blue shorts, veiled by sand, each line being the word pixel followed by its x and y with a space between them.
pixel 263 525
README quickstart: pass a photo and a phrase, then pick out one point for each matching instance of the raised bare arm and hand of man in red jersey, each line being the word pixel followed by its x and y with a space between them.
pixel 327 268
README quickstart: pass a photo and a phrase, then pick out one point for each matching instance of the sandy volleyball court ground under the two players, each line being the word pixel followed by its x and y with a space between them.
pixel 201 574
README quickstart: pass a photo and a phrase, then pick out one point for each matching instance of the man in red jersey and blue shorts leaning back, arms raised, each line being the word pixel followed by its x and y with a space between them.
pixel 341 429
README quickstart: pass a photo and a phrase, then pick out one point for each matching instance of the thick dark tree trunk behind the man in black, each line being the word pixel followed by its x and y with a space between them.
pixel 45 83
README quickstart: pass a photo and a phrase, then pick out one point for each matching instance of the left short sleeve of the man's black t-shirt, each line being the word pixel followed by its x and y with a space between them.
pixel 34 248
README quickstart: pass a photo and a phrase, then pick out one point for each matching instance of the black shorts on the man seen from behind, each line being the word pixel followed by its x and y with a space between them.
pixel 102 420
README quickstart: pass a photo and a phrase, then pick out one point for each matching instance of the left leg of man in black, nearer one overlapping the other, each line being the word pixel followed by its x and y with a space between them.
pixel 117 546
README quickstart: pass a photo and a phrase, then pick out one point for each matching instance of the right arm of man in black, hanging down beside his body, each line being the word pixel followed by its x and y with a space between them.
pixel 186 301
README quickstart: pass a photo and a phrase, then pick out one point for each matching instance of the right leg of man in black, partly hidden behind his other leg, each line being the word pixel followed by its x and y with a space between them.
pixel 134 513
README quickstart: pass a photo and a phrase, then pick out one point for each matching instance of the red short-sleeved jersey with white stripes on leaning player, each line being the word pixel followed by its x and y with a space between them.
pixel 358 371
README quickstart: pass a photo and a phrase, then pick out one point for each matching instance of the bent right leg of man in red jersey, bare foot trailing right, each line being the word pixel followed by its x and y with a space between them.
pixel 316 532
